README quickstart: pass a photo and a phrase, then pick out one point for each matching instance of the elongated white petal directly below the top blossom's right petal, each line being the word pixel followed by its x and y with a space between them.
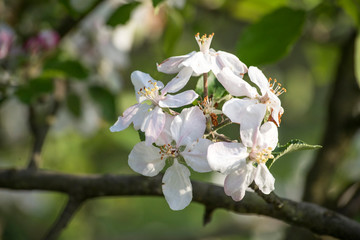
pixel 235 85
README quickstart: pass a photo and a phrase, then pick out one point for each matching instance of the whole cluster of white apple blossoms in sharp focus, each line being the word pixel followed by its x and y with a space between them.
pixel 177 141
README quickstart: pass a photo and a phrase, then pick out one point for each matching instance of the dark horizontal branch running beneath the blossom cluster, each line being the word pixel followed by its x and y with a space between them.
pixel 313 217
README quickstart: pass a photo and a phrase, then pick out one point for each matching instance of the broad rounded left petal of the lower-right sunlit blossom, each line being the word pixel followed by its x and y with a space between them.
pixel 227 157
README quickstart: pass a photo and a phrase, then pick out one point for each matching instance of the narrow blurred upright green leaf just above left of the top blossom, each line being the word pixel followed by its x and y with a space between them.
pixel 173 31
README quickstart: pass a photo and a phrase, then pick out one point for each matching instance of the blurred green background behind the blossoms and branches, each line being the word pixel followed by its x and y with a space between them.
pixel 298 42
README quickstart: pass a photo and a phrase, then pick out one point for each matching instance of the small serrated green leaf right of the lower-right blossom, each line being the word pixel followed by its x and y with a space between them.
pixel 291 146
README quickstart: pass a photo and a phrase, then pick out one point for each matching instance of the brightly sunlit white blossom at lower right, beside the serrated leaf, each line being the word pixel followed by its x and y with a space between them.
pixel 245 162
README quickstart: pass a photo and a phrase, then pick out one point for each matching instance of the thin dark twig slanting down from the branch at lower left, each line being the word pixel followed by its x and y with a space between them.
pixel 70 209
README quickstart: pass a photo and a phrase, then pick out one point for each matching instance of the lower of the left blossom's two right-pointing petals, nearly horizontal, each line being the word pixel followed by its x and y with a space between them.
pixel 178 100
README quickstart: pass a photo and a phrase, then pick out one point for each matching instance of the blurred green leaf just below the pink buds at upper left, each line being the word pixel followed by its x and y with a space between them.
pixel 56 68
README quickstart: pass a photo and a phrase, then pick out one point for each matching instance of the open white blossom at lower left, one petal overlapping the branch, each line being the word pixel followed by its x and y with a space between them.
pixel 181 140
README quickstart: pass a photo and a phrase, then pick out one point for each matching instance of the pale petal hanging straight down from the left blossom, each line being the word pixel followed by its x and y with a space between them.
pixel 153 124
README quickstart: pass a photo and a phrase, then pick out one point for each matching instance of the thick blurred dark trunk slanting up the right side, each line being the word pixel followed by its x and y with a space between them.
pixel 340 129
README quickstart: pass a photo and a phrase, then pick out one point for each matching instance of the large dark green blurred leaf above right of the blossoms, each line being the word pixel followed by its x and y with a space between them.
pixel 271 37
